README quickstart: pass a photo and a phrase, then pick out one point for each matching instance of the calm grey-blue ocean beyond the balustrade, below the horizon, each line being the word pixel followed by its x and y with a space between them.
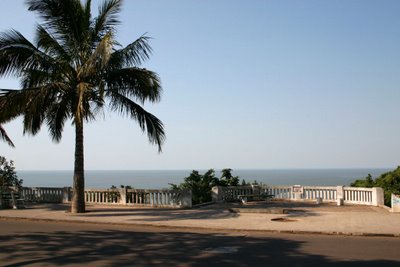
pixel 159 179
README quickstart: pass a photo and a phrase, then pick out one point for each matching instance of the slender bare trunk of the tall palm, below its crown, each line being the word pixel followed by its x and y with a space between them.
pixel 78 197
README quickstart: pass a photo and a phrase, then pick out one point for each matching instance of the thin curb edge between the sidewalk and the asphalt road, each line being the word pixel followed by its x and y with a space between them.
pixel 208 229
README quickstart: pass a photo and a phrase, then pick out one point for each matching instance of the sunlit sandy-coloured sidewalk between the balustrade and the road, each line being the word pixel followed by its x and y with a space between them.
pixel 300 217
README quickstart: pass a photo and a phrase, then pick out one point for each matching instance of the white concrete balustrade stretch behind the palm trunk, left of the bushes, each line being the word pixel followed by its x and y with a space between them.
pixel 123 196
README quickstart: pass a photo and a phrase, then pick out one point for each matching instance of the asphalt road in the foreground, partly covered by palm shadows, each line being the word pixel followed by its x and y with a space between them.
pixel 30 243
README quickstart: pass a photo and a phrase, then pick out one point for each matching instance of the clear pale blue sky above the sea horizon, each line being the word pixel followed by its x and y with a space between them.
pixel 255 84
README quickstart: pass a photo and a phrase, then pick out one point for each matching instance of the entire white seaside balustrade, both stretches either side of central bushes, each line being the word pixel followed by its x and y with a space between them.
pixel 175 198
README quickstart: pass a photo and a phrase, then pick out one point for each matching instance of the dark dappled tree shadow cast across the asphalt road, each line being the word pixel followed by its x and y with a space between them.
pixel 127 247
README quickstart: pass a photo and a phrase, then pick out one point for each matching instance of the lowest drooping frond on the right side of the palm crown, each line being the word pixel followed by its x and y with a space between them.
pixel 147 121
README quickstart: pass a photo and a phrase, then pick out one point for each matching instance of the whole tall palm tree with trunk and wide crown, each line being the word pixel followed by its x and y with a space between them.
pixel 72 71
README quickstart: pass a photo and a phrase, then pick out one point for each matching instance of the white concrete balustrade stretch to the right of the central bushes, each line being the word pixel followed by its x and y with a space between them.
pixel 339 194
